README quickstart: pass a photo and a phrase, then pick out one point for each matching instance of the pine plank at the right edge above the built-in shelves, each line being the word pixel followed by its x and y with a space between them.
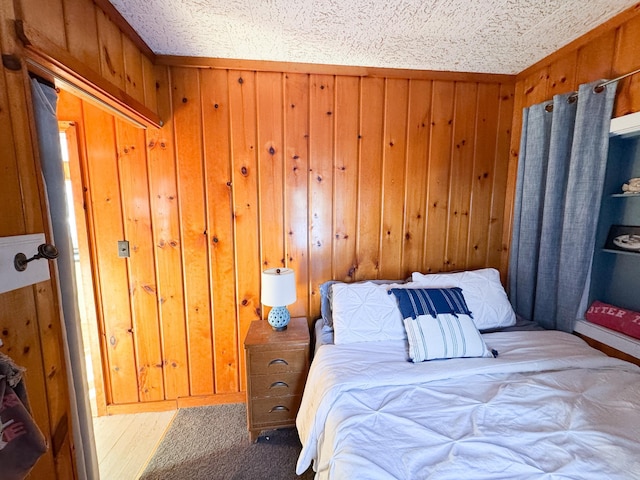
pixel 626 59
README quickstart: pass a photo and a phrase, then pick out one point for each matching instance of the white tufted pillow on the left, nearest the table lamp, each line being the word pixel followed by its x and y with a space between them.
pixel 365 312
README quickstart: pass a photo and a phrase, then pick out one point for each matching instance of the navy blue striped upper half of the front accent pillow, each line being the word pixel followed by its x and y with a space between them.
pixel 414 302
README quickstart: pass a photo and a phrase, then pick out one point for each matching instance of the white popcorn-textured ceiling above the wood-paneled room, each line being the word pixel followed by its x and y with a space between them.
pixel 489 36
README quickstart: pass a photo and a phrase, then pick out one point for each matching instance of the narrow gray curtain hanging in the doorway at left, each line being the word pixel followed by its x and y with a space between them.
pixel 45 100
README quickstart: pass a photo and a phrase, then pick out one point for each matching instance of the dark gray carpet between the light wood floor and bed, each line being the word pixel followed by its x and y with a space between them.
pixel 213 443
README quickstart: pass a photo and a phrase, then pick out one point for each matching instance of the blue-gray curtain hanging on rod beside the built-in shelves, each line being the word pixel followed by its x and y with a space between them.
pixel 563 155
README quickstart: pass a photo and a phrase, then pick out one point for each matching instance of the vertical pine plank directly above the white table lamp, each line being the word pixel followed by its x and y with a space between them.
pixel 271 170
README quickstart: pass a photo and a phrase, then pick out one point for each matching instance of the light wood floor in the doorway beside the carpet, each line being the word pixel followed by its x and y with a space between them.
pixel 126 443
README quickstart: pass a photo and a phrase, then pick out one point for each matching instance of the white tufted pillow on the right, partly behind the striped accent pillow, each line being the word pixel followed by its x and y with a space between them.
pixel 482 291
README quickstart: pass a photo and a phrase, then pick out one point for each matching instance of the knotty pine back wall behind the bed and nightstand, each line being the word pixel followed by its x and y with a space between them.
pixel 336 176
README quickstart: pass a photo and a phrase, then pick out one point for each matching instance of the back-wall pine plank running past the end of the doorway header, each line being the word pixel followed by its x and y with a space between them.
pixel 165 219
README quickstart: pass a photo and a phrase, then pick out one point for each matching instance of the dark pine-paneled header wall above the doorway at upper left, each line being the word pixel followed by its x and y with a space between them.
pixel 92 40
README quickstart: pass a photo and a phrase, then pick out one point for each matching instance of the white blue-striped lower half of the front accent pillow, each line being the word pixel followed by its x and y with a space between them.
pixel 445 336
